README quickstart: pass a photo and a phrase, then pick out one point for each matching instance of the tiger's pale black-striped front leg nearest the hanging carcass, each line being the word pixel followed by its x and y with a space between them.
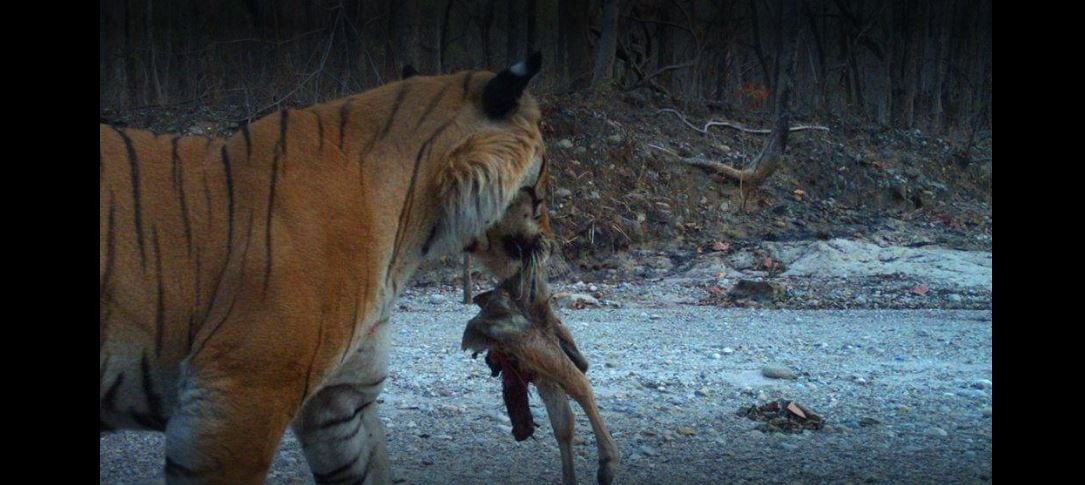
pixel 341 435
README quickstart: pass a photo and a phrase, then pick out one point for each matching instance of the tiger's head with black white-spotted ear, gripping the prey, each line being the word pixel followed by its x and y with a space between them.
pixel 517 237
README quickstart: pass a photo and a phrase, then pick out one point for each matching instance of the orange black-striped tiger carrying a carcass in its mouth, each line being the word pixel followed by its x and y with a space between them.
pixel 247 284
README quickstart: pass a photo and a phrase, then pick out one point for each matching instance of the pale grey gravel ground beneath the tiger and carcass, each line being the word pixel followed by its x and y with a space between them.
pixel 907 397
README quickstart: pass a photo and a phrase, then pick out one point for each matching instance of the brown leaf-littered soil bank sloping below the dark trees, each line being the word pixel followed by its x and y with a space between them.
pixel 620 183
